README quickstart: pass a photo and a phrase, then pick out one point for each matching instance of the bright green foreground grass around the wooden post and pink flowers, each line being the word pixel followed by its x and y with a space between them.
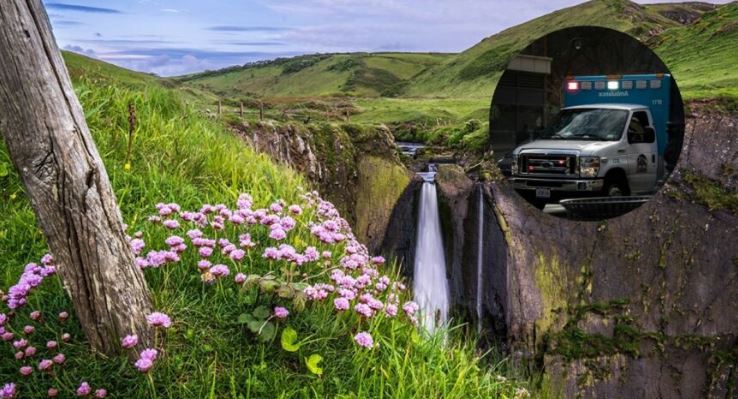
pixel 177 155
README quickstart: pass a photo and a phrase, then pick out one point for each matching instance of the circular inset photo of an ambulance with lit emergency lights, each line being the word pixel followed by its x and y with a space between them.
pixel 586 123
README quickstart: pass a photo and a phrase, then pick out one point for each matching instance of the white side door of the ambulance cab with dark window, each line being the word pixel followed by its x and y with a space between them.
pixel 642 159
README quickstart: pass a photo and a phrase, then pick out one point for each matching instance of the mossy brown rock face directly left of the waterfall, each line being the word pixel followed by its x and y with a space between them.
pixel 355 167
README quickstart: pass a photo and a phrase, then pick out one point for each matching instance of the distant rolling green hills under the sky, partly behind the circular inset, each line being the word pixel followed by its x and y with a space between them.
pixel 671 29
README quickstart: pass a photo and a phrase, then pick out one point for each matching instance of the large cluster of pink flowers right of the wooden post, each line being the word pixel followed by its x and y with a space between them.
pixel 222 239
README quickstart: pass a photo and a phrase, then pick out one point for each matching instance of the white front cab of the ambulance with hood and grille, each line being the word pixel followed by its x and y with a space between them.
pixel 568 167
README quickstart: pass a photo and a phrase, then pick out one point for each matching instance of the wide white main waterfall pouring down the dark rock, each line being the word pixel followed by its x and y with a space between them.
pixel 429 283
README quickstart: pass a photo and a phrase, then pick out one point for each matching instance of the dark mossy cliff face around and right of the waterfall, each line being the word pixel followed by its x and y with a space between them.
pixel 638 306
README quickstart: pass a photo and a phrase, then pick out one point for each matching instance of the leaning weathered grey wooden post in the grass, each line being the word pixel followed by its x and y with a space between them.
pixel 48 139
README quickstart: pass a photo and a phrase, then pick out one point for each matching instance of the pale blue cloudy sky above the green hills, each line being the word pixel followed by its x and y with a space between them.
pixel 175 37
